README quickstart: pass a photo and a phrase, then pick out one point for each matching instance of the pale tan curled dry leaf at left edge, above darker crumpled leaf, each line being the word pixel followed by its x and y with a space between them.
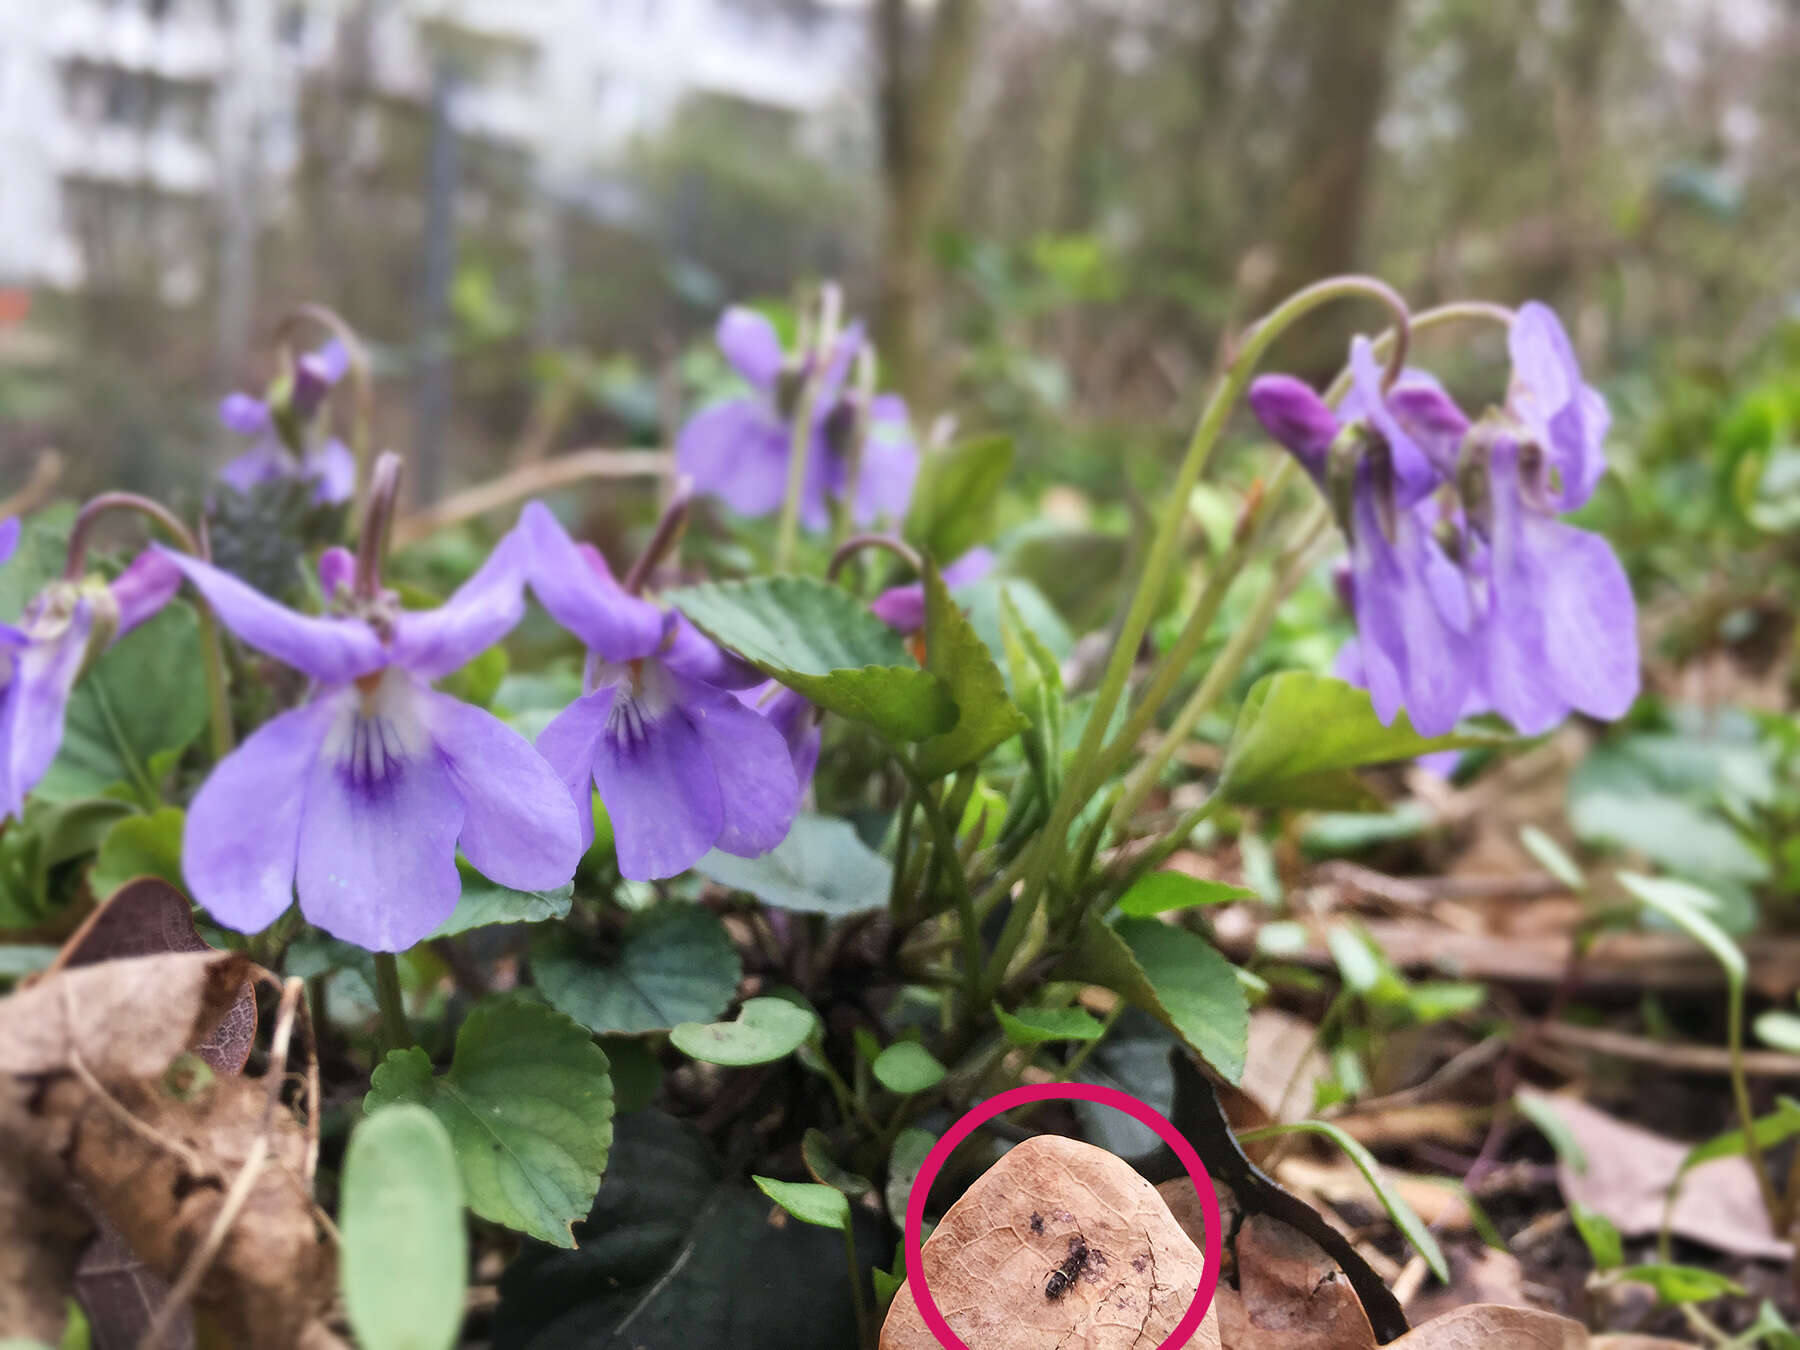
pixel 125 1020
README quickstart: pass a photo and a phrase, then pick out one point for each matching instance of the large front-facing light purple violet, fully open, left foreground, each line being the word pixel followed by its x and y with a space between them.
pixel 361 796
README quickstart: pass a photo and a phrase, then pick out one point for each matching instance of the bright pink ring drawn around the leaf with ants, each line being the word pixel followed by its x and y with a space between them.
pixel 1018 1097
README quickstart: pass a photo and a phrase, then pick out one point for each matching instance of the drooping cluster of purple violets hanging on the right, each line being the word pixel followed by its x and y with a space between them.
pixel 1488 604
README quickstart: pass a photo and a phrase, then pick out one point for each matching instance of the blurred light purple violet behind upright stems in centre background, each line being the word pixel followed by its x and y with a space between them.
pixel 739 449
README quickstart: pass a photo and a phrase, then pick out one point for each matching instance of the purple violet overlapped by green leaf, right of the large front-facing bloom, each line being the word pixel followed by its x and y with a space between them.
pixel 679 762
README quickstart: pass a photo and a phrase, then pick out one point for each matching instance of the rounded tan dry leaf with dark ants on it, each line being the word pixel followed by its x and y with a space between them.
pixel 993 1259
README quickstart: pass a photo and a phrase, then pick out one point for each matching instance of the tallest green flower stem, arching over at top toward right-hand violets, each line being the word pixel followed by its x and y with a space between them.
pixel 1167 539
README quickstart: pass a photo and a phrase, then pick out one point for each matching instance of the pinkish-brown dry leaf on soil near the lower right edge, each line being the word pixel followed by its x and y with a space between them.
pixel 1628 1180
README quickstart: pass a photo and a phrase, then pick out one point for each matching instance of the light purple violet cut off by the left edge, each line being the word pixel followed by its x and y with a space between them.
pixel 46 652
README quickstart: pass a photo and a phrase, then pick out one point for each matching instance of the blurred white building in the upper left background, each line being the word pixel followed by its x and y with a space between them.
pixel 179 116
